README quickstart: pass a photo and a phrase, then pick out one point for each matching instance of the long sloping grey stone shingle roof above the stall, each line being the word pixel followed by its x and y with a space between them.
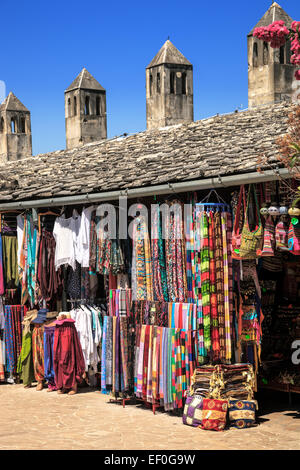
pixel 222 145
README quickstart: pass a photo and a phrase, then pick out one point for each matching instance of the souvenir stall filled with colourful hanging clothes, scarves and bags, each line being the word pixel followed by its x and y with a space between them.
pixel 194 309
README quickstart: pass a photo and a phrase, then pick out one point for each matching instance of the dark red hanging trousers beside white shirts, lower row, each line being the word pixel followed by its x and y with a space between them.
pixel 68 360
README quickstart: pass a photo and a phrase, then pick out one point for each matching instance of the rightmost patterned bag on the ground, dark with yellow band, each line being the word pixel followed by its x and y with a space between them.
pixel 242 413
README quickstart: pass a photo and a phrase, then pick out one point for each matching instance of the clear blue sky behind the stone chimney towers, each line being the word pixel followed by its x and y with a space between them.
pixel 48 43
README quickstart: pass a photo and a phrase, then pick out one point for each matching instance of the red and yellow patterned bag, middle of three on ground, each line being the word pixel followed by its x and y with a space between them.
pixel 214 414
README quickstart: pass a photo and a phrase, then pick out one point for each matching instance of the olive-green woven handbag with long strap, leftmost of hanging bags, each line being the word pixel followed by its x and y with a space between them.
pixel 251 241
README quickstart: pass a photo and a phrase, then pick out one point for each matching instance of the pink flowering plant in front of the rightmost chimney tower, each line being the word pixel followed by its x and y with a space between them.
pixel 277 34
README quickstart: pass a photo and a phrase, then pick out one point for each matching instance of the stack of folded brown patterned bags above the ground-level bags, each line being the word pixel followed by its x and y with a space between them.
pixel 224 381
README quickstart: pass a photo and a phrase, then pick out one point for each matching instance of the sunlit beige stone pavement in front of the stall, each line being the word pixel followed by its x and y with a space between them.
pixel 41 420
